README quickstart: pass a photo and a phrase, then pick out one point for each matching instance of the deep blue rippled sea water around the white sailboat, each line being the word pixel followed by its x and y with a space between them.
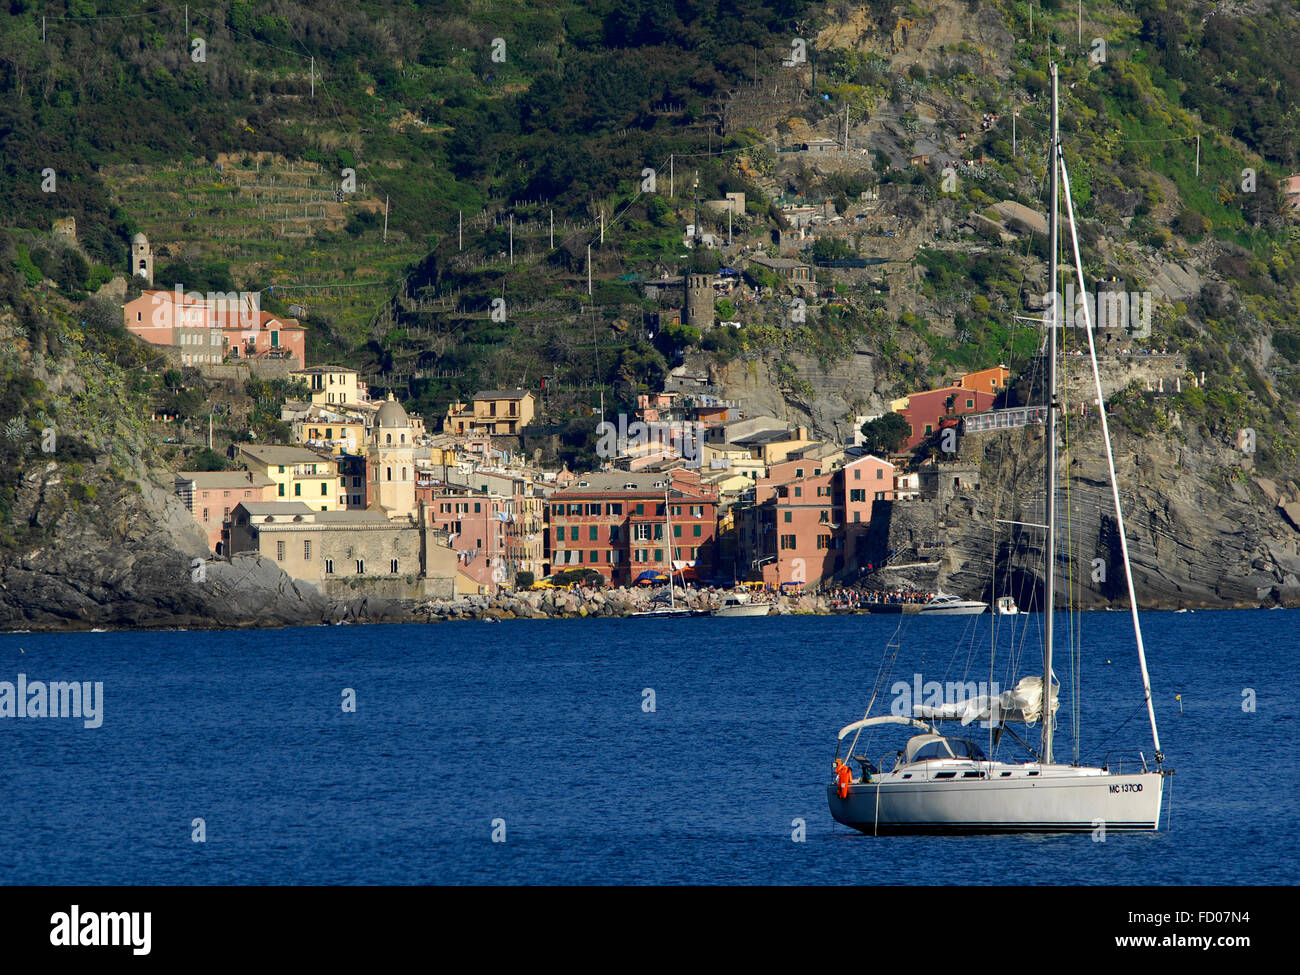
pixel 543 726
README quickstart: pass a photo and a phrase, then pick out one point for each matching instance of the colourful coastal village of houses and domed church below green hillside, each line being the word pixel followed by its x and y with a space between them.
pixel 692 487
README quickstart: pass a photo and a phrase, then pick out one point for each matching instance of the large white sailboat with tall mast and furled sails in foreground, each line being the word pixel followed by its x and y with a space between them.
pixel 947 785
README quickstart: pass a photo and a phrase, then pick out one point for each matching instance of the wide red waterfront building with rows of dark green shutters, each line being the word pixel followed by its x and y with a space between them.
pixel 622 526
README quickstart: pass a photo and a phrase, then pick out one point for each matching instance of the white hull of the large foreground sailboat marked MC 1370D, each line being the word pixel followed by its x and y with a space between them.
pixel 1060 799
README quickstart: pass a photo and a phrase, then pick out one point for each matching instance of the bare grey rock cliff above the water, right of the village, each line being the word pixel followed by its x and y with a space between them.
pixel 1193 540
